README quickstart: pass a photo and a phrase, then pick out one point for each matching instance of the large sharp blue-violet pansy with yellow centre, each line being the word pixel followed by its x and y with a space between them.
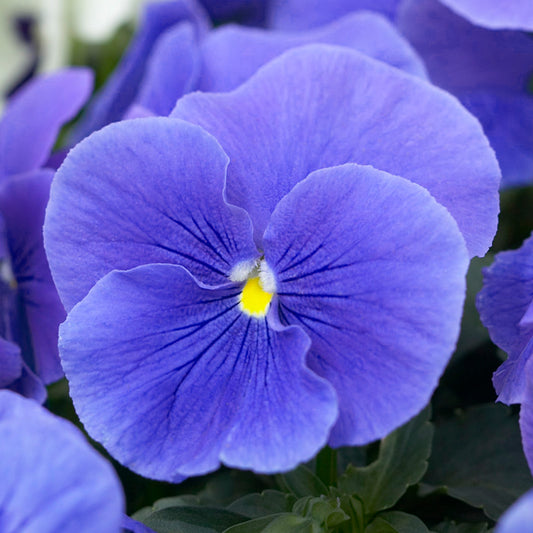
pixel 254 283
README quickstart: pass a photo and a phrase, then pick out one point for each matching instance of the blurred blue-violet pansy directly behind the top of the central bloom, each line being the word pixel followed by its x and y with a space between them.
pixel 179 58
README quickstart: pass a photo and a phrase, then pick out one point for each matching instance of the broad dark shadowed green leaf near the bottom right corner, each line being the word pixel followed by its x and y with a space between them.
pixel 478 459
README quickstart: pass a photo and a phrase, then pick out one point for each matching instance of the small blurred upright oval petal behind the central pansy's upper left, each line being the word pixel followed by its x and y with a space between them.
pixel 172 70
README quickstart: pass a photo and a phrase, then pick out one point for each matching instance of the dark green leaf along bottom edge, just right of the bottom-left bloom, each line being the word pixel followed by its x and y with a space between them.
pixel 186 519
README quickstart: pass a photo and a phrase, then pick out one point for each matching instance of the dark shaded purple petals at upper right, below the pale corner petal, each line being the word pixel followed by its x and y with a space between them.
pixel 489 71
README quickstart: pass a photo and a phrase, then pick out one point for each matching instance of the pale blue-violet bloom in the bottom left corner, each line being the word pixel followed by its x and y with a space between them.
pixel 52 480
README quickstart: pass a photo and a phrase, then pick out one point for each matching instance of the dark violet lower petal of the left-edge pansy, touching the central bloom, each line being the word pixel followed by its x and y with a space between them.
pixel 23 202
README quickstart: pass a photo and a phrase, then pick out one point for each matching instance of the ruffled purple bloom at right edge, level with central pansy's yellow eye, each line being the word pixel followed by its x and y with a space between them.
pixel 505 307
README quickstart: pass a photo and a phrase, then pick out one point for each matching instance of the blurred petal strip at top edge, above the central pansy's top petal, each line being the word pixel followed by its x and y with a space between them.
pixel 305 14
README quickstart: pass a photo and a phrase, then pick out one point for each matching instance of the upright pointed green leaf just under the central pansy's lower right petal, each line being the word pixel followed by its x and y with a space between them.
pixel 402 461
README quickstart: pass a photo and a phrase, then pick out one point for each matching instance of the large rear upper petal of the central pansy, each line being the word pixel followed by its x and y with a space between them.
pixel 319 106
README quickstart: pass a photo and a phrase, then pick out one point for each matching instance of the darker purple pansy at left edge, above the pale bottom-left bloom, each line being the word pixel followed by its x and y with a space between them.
pixel 31 309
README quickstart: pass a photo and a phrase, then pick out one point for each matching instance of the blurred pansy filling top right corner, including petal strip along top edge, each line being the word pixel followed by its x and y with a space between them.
pixel 469 49
